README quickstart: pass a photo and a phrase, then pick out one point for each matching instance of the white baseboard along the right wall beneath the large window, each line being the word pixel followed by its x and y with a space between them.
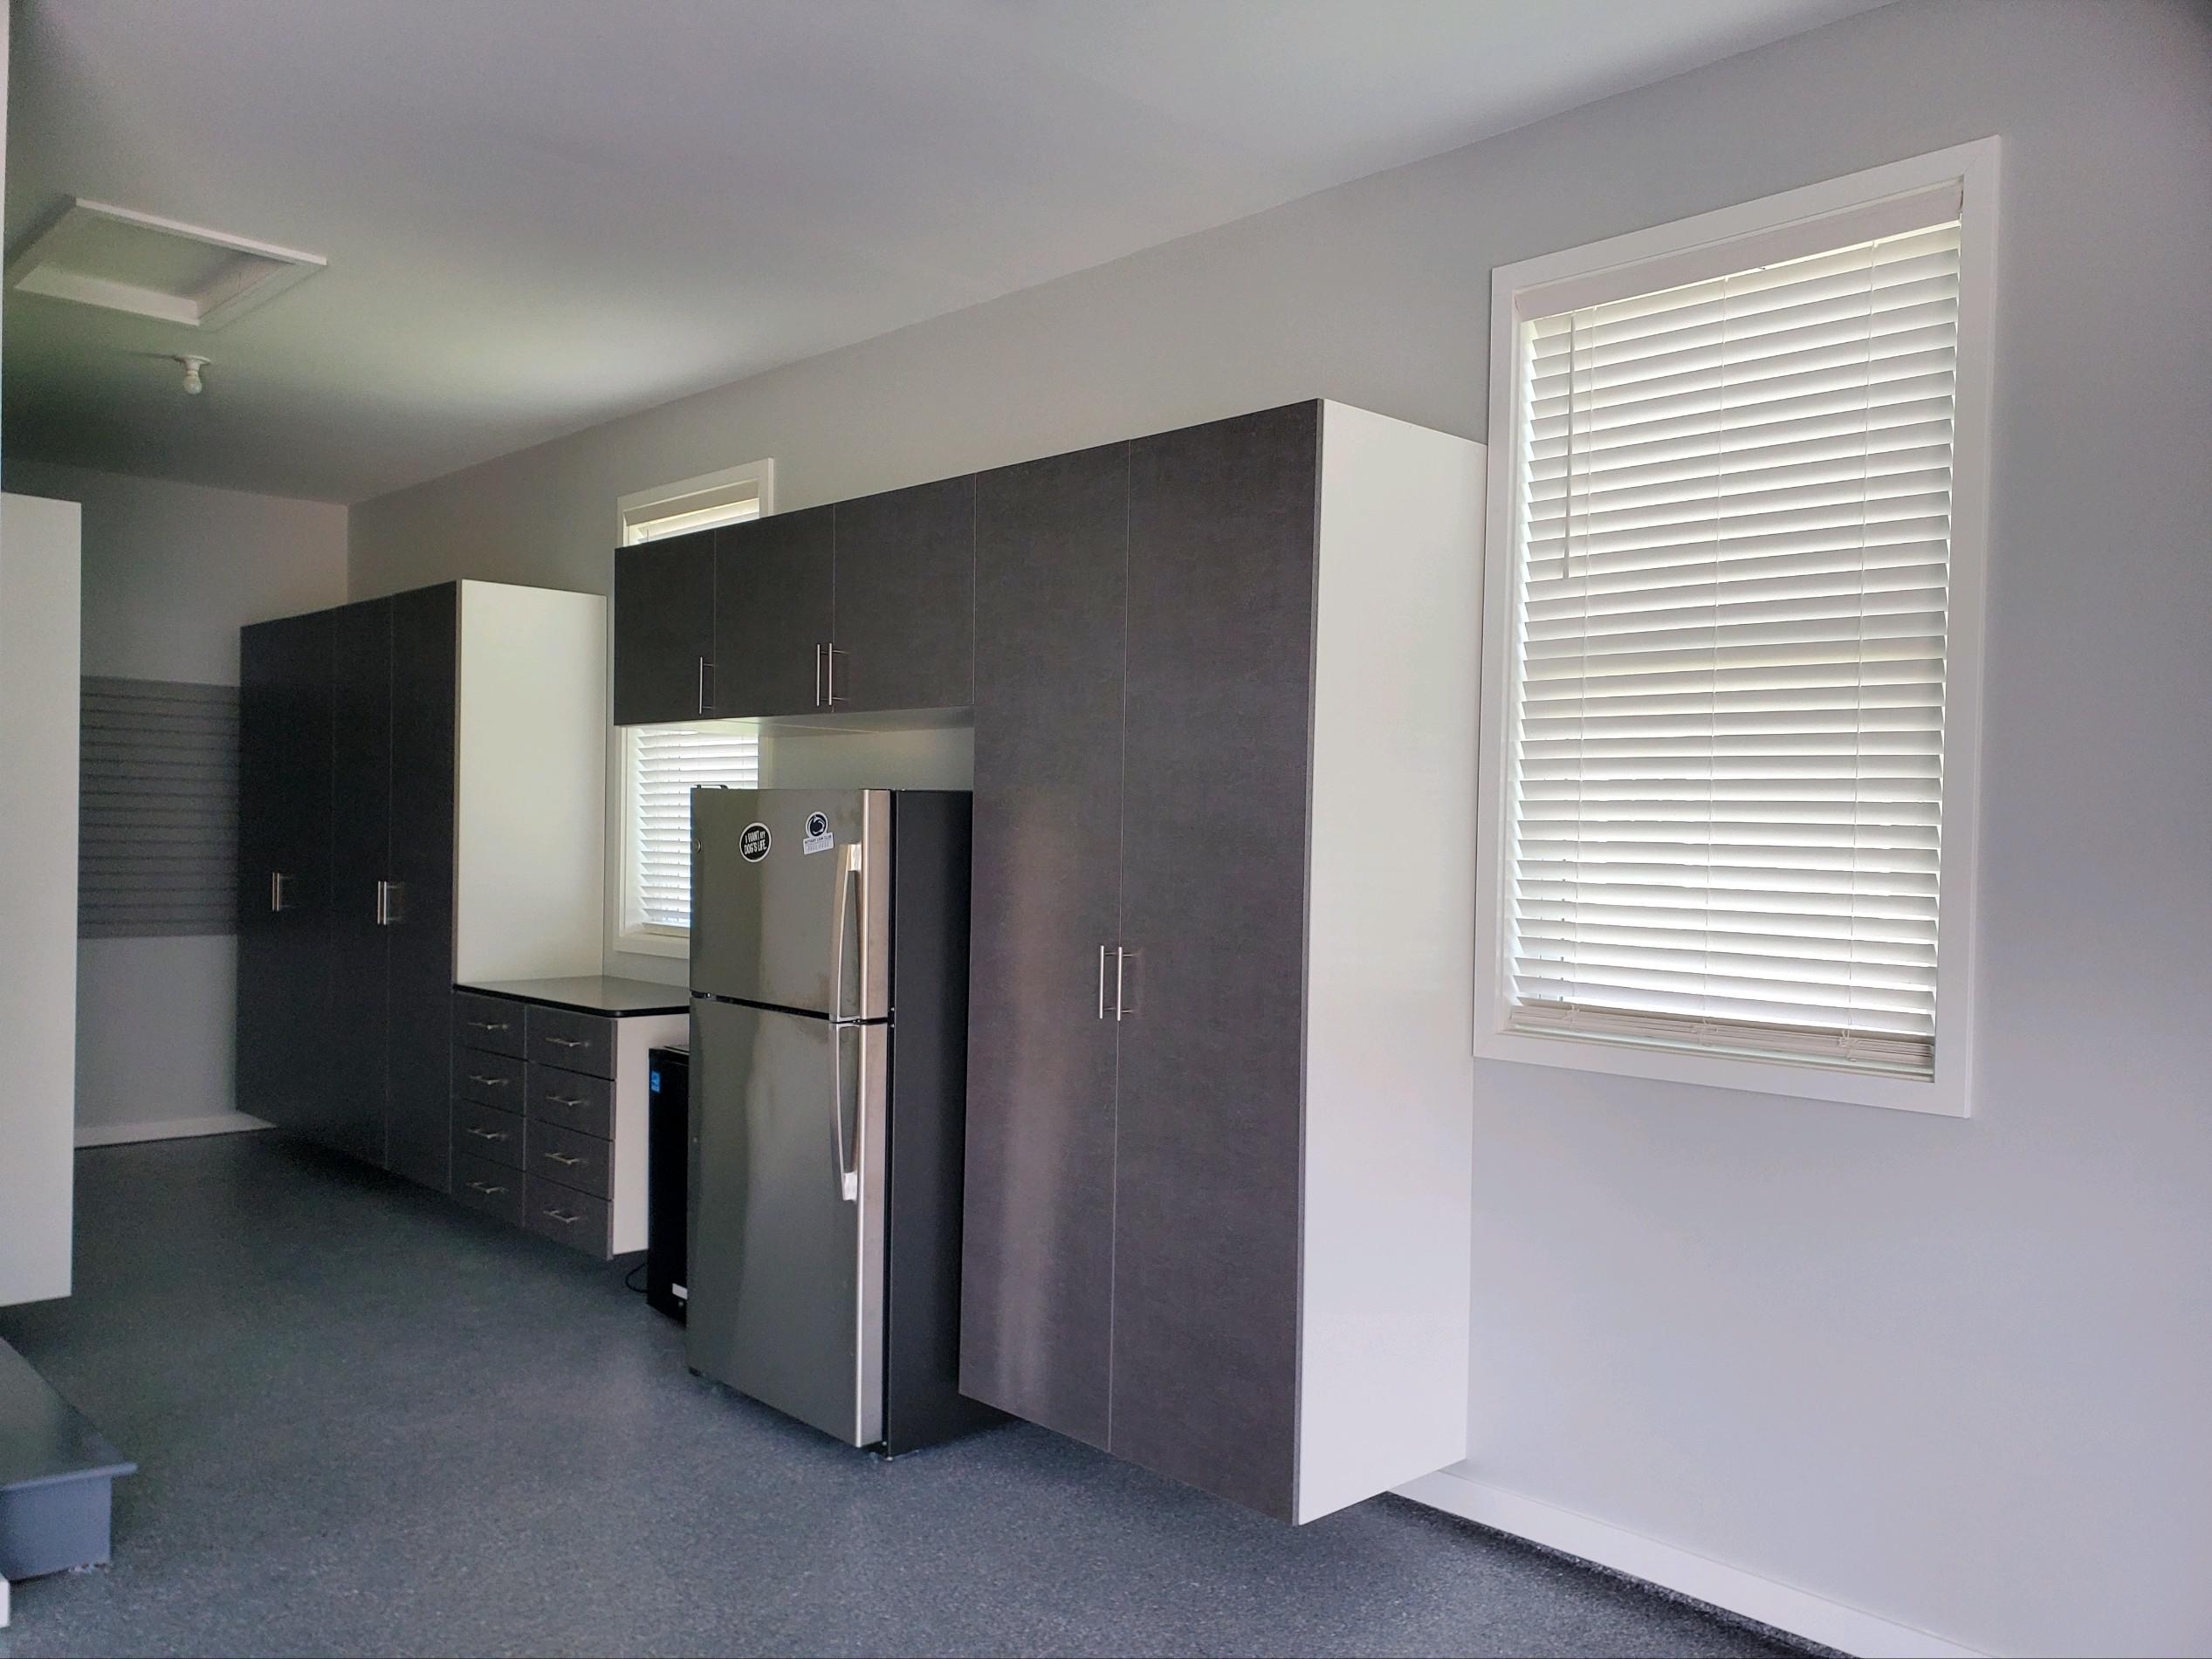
pixel 1784 1607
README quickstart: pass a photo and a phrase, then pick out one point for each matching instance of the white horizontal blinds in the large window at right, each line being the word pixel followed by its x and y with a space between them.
pixel 1731 625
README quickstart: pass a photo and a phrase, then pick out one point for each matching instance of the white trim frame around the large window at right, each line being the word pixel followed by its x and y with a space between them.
pixel 1777 220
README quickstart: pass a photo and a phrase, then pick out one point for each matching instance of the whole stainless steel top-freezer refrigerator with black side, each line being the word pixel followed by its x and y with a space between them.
pixel 828 1081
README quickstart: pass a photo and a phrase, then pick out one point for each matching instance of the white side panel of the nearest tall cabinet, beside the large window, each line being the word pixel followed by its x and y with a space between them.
pixel 1390 961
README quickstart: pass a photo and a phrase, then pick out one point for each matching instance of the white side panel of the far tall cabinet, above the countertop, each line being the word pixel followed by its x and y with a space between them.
pixel 532 784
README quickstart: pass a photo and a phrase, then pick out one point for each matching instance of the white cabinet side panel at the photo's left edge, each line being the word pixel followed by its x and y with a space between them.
pixel 39 893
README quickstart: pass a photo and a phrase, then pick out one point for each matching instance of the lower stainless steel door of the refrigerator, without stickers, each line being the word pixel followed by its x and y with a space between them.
pixel 786 1273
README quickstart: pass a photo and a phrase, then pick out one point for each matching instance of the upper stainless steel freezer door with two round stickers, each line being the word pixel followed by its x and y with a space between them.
pixel 791 899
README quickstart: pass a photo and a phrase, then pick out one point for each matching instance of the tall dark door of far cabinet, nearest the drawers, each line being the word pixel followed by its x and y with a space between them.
pixel 419 919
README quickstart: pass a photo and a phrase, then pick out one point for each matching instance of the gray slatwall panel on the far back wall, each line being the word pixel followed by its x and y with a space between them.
pixel 158 820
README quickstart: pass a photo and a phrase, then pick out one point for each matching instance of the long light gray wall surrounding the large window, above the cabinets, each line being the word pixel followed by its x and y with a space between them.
pixel 1948 1373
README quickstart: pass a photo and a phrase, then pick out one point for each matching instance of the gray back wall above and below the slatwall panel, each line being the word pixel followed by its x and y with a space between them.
pixel 169 576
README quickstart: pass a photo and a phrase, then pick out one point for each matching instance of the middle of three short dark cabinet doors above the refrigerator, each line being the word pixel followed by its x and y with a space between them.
pixel 773 581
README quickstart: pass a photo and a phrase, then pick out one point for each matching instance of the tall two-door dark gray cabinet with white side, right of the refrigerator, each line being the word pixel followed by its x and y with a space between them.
pixel 1222 983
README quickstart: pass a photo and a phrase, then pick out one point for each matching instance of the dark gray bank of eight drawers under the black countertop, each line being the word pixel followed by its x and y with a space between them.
pixel 534 1118
